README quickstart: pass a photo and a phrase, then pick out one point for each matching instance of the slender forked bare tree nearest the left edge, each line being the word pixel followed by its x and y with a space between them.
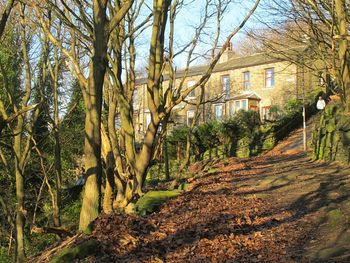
pixel 21 128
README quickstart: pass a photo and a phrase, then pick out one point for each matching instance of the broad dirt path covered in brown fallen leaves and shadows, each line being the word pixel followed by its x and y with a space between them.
pixel 266 209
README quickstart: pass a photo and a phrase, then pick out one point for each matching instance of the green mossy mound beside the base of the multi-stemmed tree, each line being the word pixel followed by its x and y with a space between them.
pixel 152 200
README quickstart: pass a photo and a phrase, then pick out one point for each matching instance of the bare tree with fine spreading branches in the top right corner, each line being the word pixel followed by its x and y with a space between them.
pixel 317 26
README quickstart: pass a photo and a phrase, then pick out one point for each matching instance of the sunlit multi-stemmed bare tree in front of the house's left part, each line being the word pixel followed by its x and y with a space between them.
pixel 131 164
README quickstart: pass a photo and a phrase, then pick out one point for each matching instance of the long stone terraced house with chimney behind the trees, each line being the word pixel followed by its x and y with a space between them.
pixel 257 82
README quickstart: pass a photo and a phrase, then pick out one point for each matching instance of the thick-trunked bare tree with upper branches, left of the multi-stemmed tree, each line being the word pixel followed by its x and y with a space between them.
pixel 91 27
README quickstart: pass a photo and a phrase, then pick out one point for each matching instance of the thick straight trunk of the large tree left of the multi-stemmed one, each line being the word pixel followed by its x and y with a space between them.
pixel 93 102
